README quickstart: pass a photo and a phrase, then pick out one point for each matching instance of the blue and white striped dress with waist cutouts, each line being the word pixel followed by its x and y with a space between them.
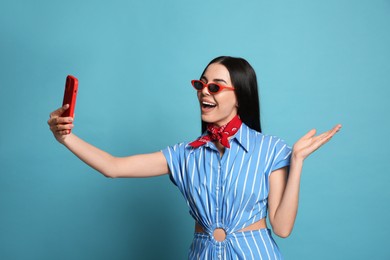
pixel 229 192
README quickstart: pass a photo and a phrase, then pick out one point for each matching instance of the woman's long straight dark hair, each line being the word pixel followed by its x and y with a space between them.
pixel 244 80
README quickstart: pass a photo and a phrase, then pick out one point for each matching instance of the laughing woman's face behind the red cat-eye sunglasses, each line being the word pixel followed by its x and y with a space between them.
pixel 220 108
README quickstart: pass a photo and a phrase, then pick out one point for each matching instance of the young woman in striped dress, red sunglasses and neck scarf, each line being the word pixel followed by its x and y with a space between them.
pixel 232 176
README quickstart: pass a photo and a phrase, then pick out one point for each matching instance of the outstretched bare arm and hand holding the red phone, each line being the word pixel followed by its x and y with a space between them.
pixel 143 165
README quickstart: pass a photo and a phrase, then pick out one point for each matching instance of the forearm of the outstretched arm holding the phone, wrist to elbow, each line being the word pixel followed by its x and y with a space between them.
pixel 94 157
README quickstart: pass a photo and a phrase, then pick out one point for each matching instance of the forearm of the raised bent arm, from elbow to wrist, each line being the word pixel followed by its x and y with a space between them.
pixel 285 215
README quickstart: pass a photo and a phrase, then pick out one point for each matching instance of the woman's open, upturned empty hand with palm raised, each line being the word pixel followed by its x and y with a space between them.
pixel 309 143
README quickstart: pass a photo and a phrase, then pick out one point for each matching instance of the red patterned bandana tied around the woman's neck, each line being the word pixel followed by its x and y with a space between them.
pixel 219 133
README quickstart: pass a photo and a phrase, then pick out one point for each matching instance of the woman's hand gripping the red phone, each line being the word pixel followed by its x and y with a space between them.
pixel 60 126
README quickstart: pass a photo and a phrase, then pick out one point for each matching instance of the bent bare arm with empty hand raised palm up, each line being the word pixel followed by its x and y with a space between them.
pixel 284 186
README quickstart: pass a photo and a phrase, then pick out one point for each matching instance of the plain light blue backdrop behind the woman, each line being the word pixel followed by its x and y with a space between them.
pixel 318 63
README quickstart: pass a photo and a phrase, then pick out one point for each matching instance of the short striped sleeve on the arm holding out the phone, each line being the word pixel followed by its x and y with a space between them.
pixel 174 156
